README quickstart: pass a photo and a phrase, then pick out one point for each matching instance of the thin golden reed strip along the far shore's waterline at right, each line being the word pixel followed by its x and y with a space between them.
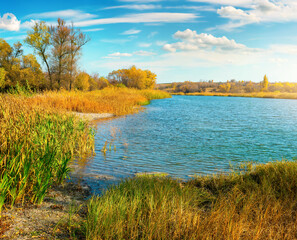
pixel 278 95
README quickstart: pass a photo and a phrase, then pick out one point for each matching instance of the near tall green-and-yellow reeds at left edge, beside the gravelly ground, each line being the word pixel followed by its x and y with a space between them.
pixel 36 145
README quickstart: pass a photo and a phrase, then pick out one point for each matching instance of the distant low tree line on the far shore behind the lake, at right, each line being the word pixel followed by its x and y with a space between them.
pixel 231 86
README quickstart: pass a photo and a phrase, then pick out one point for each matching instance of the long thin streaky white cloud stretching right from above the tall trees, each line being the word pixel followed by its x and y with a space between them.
pixel 156 17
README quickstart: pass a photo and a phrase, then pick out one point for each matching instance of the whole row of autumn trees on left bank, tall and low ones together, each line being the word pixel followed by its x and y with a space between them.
pixel 59 48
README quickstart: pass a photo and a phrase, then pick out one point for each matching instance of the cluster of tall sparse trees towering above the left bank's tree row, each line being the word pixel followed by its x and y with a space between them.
pixel 59 48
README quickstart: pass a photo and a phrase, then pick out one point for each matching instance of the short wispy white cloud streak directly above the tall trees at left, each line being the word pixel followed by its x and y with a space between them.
pixel 67 14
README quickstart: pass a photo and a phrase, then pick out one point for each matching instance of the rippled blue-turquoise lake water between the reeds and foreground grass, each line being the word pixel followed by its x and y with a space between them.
pixel 188 135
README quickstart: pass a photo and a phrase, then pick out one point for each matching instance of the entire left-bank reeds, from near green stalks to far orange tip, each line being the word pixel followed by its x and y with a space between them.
pixel 39 136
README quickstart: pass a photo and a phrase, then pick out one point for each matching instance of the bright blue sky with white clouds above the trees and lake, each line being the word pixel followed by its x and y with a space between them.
pixel 179 40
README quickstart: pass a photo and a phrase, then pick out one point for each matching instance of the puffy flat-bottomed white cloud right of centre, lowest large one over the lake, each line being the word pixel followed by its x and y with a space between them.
pixel 191 41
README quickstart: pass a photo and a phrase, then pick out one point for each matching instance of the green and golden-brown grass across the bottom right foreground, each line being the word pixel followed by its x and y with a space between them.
pixel 257 204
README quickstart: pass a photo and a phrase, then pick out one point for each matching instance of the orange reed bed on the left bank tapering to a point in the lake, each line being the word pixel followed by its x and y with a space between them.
pixel 119 101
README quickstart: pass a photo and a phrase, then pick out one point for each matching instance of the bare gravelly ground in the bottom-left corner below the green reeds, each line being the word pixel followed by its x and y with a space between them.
pixel 49 219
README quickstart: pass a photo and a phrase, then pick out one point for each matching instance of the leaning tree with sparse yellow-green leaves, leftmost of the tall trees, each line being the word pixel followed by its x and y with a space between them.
pixel 39 38
